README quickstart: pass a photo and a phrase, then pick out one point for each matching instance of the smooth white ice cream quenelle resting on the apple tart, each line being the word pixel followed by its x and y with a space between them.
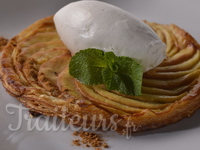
pixel 95 24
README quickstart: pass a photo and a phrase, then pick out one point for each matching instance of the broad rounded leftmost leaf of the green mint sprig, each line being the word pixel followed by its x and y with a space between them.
pixel 86 66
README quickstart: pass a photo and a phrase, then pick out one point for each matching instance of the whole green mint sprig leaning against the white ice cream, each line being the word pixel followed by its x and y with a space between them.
pixel 120 73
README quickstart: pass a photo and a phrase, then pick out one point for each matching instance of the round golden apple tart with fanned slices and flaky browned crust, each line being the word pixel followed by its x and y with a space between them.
pixel 34 69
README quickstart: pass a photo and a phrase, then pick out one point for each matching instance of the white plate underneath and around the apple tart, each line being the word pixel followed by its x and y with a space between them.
pixel 17 15
